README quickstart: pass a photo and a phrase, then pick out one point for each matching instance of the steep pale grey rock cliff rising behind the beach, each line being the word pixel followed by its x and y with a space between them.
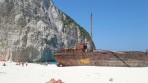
pixel 32 30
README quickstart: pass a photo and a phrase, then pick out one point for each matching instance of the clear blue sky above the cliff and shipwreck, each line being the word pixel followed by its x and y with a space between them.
pixel 118 25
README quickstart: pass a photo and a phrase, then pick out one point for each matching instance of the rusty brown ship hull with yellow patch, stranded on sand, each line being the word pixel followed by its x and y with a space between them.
pixel 116 59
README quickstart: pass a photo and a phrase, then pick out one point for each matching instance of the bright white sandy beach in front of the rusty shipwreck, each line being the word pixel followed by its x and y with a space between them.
pixel 37 73
